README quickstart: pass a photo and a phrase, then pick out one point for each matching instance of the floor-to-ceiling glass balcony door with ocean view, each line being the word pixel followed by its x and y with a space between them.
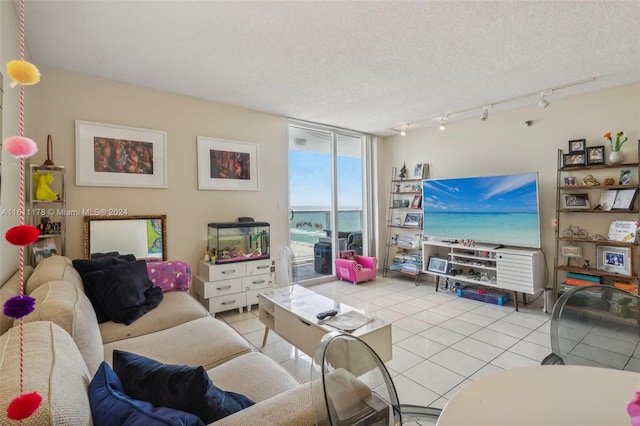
pixel 327 198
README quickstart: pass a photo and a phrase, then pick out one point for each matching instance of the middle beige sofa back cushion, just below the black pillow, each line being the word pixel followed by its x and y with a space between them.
pixel 67 306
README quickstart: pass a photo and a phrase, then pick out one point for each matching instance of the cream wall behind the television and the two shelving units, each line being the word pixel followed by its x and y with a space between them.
pixel 504 144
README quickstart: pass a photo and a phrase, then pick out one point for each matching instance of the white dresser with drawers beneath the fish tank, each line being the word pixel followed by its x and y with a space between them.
pixel 233 285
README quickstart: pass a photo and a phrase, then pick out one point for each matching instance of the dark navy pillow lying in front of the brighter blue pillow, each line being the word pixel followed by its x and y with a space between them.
pixel 181 387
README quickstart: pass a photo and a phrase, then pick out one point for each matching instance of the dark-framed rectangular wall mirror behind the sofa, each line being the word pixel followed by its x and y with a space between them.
pixel 143 236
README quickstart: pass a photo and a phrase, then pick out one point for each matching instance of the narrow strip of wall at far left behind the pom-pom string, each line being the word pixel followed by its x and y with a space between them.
pixel 9 49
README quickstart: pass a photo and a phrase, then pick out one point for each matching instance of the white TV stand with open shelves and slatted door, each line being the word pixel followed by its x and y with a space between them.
pixel 520 270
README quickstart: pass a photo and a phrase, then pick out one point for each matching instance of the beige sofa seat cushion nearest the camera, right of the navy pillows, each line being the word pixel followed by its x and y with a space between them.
pixel 239 375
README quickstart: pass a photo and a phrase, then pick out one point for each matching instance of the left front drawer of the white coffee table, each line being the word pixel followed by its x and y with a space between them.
pixel 300 333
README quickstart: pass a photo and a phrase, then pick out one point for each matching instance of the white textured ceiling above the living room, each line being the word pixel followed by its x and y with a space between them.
pixel 365 65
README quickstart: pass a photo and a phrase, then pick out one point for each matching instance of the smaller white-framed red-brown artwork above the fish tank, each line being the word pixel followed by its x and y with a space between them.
pixel 213 174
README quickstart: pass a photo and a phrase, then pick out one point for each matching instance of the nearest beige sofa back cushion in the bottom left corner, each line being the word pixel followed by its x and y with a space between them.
pixel 53 367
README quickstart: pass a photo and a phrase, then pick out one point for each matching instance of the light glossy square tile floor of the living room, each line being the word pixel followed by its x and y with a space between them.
pixel 441 343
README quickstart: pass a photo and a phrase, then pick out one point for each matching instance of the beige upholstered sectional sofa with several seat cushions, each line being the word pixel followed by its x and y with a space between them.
pixel 64 346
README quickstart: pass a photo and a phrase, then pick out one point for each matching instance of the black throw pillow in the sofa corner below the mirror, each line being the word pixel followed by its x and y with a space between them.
pixel 122 293
